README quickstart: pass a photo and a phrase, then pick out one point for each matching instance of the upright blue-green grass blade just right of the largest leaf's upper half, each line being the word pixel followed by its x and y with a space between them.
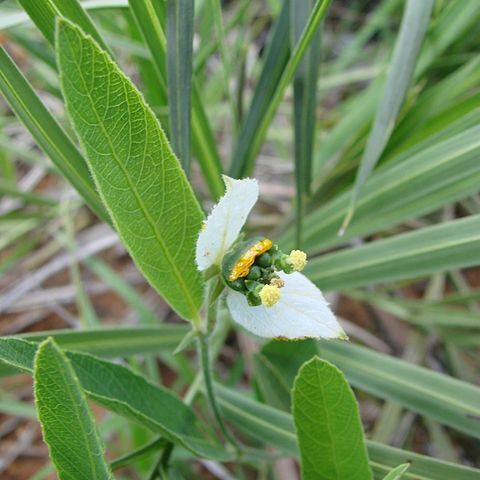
pixel 180 25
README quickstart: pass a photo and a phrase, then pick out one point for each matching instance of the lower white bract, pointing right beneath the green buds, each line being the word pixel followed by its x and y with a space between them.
pixel 301 312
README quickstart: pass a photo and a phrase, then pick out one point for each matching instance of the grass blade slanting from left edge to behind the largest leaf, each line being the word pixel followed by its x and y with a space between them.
pixel 46 131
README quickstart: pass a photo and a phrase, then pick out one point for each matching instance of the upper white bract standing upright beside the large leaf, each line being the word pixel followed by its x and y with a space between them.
pixel 226 220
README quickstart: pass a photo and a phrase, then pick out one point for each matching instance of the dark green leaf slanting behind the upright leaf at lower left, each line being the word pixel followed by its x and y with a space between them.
pixel 120 390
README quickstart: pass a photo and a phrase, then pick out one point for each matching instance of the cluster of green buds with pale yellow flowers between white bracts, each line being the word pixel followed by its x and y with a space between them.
pixel 261 285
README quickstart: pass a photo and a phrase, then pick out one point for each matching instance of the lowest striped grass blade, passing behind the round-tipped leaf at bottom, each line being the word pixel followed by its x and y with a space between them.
pixel 276 428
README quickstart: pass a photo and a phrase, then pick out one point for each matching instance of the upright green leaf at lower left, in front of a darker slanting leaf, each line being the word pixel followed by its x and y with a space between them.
pixel 67 423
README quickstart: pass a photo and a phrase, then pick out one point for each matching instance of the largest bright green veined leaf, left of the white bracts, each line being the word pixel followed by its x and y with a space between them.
pixel 138 177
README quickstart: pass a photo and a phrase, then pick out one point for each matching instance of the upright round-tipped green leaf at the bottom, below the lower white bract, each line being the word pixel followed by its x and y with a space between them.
pixel 329 430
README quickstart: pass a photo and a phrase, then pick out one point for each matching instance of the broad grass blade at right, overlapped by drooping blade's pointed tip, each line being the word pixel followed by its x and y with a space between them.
pixel 405 188
